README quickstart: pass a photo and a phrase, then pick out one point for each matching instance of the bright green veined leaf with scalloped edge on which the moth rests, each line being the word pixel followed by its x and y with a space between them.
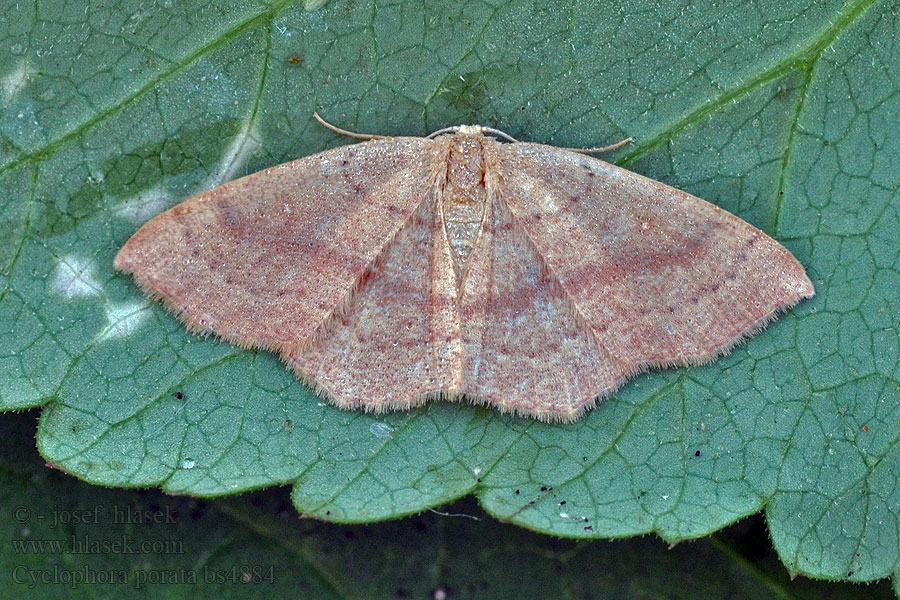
pixel 785 113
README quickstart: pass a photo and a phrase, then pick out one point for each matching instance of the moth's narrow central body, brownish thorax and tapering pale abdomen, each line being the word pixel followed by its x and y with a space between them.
pixel 463 197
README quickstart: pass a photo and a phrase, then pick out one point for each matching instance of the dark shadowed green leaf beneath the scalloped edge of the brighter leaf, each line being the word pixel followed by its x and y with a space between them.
pixel 149 545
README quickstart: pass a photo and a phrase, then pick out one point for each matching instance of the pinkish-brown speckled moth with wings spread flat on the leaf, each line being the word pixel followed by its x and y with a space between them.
pixel 465 264
